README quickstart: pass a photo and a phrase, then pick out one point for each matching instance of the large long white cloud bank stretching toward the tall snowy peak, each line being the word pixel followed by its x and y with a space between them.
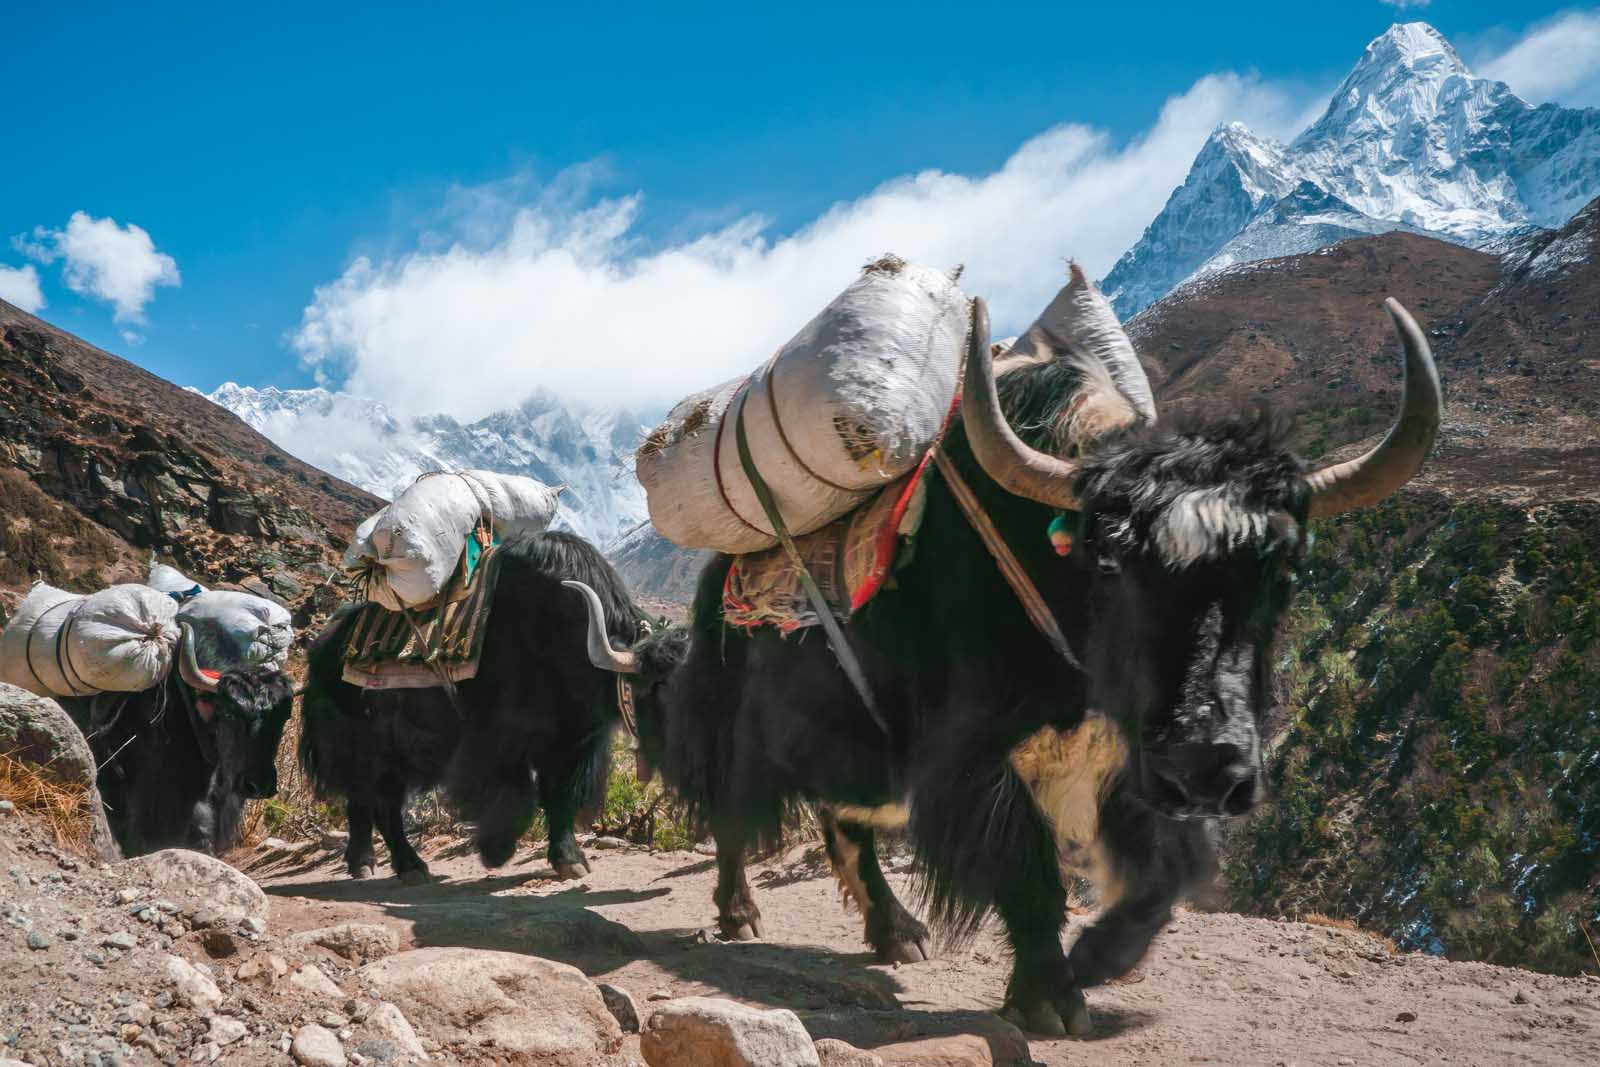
pixel 562 294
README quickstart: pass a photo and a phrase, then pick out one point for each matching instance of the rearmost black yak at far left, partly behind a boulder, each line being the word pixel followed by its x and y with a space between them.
pixel 180 761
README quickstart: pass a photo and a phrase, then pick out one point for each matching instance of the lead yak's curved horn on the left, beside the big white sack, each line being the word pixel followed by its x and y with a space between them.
pixel 1017 468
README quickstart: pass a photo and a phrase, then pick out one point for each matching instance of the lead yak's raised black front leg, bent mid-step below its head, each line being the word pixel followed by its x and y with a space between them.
pixel 1154 861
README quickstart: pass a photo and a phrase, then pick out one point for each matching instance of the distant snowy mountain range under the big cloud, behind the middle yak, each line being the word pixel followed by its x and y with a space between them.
pixel 361 441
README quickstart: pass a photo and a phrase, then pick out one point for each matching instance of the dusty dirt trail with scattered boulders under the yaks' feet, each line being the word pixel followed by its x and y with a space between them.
pixel 177 959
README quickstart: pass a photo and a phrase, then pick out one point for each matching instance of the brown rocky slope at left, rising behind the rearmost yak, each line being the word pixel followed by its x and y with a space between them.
pixel 108 465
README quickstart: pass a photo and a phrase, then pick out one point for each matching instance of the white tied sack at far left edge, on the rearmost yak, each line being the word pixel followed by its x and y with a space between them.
pixel 118 641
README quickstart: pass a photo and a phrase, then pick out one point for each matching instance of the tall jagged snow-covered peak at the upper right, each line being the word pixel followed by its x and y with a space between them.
pixel 1412 140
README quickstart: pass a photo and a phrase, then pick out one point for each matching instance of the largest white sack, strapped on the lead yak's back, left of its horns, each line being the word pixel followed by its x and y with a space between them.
pixel 849 406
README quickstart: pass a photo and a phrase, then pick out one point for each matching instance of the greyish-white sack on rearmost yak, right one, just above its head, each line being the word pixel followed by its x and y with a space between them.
pixel 231 628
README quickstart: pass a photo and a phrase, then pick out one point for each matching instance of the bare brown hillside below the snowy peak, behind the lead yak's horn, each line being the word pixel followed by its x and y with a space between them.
pixel 1518 353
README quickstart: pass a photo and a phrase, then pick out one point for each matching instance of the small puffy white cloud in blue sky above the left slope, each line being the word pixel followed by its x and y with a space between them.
pixel 113 263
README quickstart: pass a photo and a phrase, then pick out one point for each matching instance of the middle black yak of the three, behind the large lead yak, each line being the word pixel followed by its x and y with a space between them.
pixel 532 730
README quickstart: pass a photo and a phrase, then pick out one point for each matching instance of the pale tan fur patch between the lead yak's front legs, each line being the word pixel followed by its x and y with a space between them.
pixel 1070 775
